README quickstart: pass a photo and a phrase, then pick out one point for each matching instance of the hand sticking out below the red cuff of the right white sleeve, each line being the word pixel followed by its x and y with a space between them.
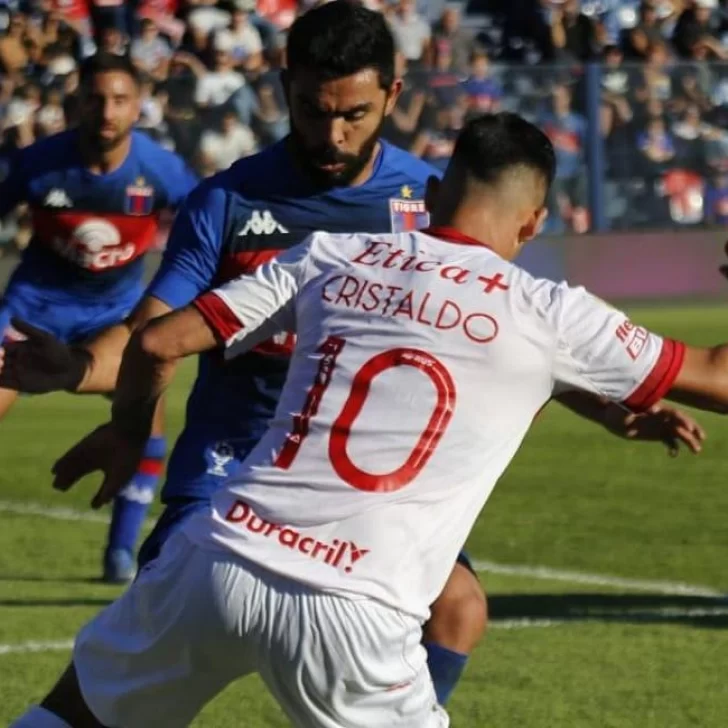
pixel 660 423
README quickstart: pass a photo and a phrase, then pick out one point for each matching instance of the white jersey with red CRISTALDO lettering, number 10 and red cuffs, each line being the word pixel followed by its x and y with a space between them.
pixel 421 361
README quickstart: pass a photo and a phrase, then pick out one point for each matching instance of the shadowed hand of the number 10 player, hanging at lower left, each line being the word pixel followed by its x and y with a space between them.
pixel 116 456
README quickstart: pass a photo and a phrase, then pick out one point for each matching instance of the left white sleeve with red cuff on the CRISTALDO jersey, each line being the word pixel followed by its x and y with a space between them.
pixel 255 307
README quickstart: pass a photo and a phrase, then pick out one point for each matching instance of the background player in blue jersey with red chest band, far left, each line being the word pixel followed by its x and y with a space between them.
pixel 95 194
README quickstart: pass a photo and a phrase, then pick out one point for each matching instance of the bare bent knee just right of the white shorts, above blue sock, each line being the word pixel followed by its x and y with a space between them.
pixel 459 617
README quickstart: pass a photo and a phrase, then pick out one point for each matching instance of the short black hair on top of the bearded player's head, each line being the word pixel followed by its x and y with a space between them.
pixel 341 38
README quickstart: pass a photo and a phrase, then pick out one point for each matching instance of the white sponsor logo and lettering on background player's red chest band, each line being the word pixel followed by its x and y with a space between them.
pixel 95 245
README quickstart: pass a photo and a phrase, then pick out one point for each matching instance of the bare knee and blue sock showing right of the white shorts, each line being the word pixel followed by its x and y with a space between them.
pixel 457 623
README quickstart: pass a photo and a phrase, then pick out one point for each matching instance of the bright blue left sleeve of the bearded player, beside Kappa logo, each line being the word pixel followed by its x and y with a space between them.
pixel 194 248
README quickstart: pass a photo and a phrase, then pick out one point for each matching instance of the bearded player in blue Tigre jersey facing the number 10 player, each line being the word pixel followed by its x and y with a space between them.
pixel 333 173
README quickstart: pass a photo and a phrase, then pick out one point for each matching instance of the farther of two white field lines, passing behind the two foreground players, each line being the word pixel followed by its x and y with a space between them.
pixel 545 573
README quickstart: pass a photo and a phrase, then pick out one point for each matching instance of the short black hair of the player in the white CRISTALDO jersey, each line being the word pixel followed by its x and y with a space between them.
pixel 491 144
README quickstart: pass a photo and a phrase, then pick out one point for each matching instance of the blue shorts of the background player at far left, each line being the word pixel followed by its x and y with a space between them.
pixel 68 319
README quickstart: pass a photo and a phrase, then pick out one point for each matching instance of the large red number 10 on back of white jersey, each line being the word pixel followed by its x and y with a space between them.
pixel 341 427
